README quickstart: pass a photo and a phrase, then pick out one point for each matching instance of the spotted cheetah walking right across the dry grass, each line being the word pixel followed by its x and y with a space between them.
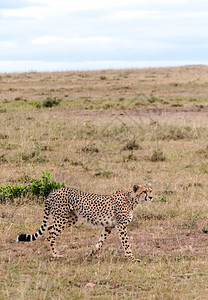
pixel 68 205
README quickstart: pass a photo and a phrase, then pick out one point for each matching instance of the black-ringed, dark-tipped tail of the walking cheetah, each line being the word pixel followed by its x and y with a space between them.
pixel 32 237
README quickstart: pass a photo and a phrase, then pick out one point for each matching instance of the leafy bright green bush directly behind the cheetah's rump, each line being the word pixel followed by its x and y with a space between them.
pixel 36 187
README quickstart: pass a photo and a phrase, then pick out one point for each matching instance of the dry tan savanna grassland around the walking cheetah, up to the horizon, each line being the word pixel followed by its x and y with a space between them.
pixel 102 131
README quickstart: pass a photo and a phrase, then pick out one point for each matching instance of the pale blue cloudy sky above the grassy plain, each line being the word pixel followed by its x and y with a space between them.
pixel 59 35
